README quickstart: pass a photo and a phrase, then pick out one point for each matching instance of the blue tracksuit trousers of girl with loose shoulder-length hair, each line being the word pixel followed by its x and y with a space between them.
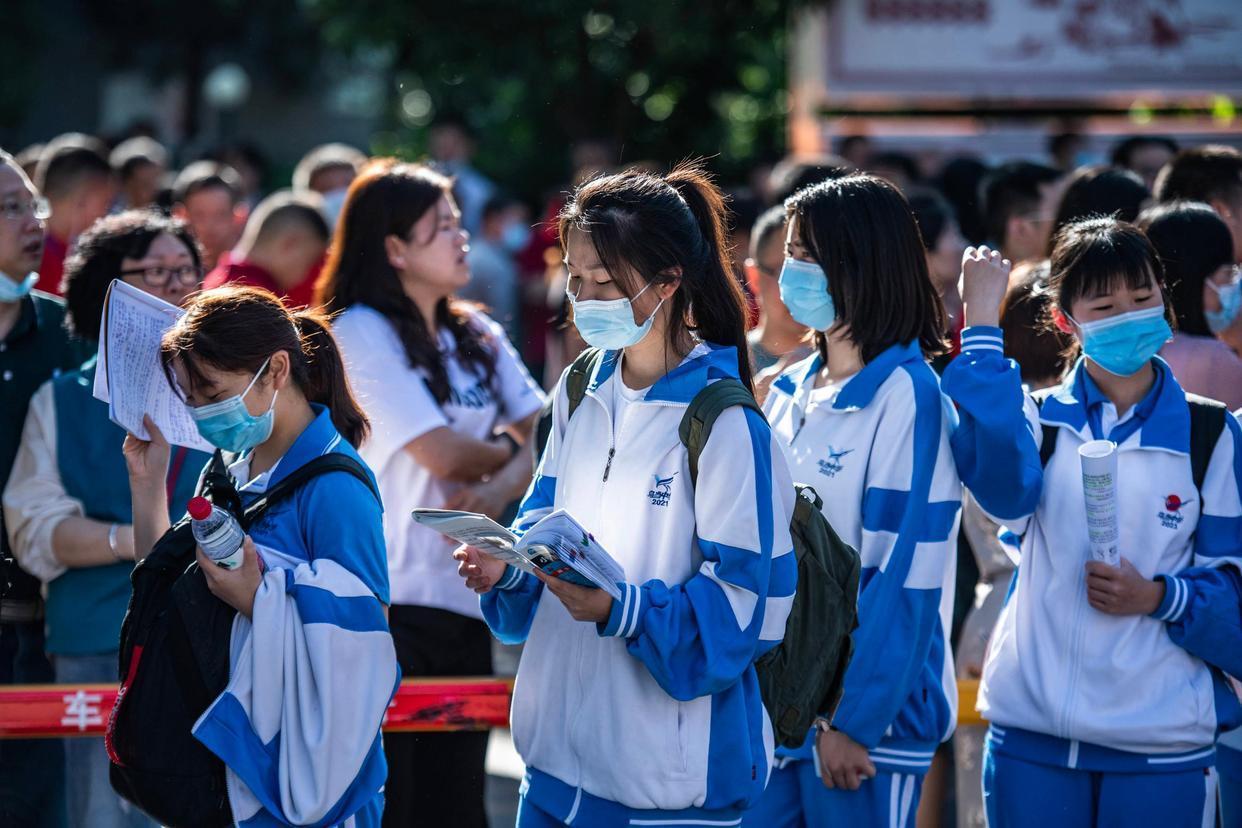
pixel 798 799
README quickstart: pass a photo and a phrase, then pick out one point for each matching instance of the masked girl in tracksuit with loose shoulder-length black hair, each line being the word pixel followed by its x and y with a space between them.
pixel 866 426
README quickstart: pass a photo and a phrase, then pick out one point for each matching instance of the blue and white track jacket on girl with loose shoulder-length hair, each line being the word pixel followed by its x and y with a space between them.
pixel 877 452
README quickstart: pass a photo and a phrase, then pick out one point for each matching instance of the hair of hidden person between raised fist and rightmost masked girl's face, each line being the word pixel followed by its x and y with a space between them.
pixel 1038 347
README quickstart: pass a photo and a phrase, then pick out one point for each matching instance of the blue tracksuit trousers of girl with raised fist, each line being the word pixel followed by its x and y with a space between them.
pixel 1027 795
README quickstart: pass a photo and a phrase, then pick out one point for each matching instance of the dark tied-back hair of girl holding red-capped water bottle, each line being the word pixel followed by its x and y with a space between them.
pixel 238 330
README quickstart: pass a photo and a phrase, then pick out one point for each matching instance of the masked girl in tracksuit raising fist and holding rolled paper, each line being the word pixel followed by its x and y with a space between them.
pixel 1102 683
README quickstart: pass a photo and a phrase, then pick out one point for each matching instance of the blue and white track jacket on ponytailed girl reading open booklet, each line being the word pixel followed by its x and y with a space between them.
pixel 659 708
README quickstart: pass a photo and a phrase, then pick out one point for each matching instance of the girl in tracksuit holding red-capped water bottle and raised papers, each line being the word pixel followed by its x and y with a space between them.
pixel 312 667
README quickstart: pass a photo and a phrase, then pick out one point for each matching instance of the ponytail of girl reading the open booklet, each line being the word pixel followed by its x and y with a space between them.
pixel 715 296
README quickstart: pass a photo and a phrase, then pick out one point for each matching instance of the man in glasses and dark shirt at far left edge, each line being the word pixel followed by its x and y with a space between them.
pixel 34 347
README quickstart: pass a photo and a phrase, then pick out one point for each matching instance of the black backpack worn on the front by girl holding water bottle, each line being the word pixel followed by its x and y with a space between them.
pixel 175 664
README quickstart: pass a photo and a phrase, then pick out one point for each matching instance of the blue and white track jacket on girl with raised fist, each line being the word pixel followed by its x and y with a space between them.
pixel 1064 683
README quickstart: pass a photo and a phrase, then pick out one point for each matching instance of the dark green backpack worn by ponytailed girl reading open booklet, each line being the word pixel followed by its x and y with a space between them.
pixel 802 678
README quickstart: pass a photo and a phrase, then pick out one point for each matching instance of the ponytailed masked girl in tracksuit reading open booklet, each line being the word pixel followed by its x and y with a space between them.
pixel 650 716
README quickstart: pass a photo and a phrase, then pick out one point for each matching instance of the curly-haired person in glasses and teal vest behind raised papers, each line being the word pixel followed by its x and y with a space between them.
pixel 68 505
